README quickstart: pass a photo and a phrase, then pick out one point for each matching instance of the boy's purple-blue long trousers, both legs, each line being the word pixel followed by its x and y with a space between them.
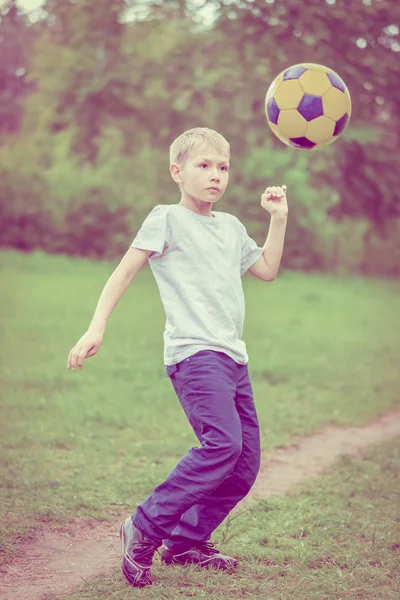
pixel 216 395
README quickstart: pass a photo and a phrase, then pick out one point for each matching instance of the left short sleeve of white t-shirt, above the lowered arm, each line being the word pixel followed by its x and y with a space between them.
pixel 153 234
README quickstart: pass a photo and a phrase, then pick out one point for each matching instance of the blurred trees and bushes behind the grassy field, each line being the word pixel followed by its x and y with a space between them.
pixel 107 86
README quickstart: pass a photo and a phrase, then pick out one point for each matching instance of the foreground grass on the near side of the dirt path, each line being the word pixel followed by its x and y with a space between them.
pixel 335 539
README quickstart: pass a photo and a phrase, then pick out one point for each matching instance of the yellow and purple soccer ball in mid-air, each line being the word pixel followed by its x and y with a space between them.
pixel 308 105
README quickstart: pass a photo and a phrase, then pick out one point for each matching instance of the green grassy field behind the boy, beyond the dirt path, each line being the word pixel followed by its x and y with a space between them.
pixel 322 350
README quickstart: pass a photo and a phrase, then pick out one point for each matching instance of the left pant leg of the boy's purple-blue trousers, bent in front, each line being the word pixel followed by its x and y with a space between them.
pixel 206 387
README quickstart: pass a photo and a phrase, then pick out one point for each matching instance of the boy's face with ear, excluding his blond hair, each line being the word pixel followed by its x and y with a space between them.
pixel 204 175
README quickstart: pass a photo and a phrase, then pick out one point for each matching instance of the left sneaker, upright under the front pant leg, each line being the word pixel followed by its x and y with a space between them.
pixel 137 553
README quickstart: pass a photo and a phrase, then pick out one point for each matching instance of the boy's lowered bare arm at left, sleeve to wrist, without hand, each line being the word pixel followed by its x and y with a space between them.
pixel 116 285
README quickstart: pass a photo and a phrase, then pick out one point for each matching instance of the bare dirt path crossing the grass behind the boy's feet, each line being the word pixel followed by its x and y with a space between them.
pixel 56 562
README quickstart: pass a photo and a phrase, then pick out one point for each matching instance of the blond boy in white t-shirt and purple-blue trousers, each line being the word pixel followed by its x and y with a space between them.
pixel 197 257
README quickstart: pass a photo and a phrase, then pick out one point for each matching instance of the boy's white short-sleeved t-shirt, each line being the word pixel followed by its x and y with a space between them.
pixel 198 262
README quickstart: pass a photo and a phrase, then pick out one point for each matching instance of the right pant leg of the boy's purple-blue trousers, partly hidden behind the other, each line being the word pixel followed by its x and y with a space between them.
pixel 200 520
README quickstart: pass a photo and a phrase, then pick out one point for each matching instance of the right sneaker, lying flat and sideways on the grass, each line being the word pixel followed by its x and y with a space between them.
pixel 204 555
